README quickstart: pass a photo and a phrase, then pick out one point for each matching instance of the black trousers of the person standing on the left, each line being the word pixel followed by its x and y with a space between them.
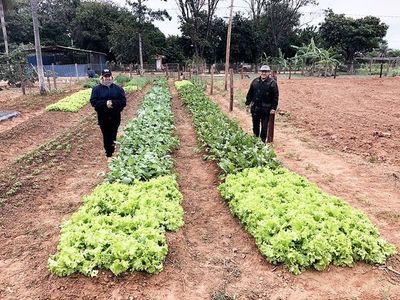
pixel 109 127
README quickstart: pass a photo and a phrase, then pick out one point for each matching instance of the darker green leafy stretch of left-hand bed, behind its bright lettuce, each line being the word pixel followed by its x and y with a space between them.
pixel 147 140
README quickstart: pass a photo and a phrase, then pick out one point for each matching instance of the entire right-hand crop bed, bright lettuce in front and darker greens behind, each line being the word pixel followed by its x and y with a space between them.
pixel 292 220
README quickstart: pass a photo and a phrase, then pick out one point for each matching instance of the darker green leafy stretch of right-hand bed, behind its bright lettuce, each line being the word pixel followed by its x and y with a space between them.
pixel 225 141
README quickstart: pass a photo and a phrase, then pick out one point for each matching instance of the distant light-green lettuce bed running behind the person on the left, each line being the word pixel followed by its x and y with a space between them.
pixel 76 101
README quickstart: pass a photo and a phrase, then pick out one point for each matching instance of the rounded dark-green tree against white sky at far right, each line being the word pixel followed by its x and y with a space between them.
pixel 350 36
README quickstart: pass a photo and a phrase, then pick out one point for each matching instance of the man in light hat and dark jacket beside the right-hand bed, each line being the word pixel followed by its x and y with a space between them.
pixel 263 97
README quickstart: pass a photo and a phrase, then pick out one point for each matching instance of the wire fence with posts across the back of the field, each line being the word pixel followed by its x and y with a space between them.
pixel 62 76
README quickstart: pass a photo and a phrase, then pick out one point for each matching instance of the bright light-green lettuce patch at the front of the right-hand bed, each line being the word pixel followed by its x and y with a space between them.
pixel 295 223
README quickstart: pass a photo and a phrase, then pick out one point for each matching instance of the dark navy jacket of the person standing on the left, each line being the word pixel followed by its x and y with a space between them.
pixel 102 93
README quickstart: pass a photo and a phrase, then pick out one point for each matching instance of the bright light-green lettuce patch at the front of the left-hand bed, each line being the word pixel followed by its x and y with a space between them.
pixel 120 227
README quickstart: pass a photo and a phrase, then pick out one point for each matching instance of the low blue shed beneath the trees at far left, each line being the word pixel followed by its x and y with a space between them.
pixel 64 60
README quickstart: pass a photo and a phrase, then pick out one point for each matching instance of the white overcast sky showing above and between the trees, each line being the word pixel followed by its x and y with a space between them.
pixel 387 10
